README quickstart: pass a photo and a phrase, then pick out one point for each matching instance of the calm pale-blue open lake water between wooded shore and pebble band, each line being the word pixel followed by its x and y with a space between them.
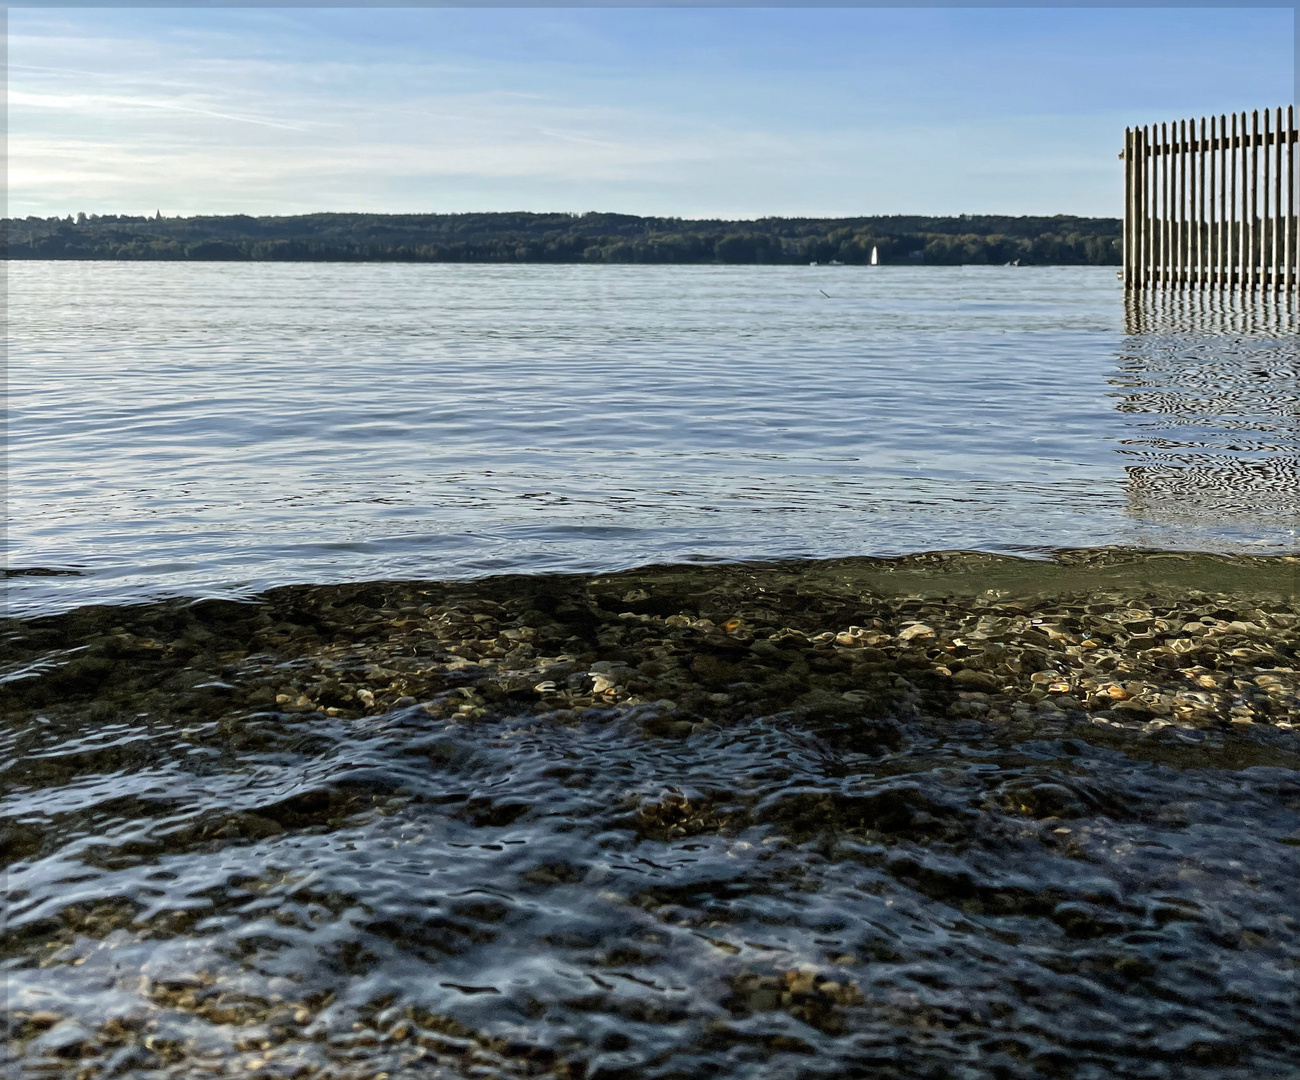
pixel 223 428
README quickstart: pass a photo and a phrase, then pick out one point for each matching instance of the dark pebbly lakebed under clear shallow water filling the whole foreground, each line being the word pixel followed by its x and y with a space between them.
pixel 952 816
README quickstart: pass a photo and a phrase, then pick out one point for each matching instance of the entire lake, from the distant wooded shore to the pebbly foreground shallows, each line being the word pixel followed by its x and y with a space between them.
pixel 349 734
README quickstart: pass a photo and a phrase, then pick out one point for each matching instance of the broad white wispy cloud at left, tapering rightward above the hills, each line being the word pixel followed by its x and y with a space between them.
pixel 170 131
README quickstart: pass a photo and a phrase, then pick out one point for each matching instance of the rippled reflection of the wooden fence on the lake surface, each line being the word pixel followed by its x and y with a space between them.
pixel 1211 389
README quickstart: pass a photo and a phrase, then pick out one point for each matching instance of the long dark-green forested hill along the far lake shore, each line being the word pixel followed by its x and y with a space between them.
pixel 570 238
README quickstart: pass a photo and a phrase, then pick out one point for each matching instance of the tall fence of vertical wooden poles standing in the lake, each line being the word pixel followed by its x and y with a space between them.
pixel 1212 205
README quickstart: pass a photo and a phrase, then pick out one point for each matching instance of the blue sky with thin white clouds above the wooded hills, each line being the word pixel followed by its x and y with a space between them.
pixel 686 112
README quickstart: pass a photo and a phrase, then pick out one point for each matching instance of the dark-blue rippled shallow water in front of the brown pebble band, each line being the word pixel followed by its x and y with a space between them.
pixel 531 894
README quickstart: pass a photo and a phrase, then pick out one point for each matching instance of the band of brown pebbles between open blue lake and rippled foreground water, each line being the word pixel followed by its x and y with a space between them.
pixel 1124 641
